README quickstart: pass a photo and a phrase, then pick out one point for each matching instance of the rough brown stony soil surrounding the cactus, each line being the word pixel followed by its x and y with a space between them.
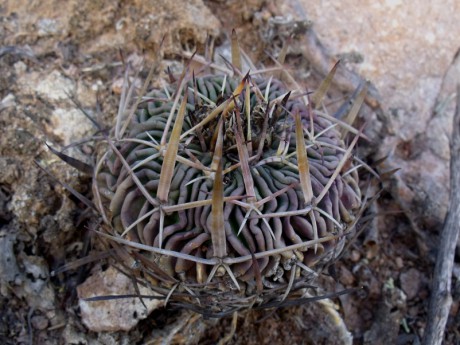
pixel 58 58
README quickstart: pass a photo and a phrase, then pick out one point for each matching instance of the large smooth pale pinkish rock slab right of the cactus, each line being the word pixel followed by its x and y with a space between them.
pixel 408 56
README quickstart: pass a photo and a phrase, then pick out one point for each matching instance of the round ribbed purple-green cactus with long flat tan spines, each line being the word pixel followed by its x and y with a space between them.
pixel 225 190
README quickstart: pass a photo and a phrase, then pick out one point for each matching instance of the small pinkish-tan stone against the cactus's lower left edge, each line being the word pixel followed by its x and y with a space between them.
pixel 113 315
